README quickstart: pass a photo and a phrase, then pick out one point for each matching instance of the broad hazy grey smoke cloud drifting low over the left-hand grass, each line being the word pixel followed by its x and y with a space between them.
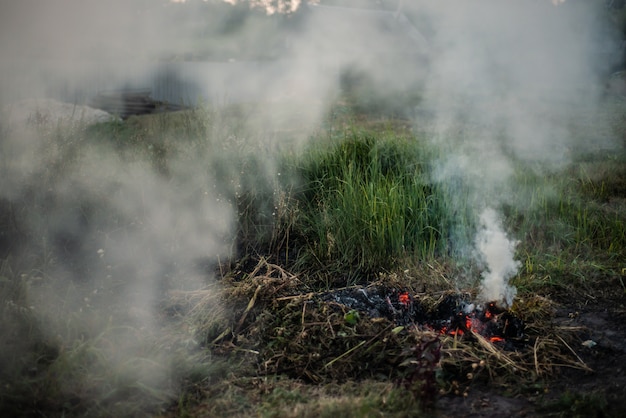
pixel 106 236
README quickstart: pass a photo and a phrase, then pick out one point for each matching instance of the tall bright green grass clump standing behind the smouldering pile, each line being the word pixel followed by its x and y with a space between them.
pixel 366 201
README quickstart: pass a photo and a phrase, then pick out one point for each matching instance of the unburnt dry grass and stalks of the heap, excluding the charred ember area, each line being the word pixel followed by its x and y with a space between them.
pixel 284 328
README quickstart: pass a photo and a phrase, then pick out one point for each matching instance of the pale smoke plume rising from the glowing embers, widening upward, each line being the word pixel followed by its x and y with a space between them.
pixel 507 82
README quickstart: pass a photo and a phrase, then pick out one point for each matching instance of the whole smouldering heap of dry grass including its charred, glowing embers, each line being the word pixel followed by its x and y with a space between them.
pixel 282 327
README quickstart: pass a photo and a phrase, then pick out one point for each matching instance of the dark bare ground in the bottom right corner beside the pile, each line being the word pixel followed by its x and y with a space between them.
pixel 569 392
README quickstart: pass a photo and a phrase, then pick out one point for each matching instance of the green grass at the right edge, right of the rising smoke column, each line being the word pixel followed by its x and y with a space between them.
pixel 571 224
